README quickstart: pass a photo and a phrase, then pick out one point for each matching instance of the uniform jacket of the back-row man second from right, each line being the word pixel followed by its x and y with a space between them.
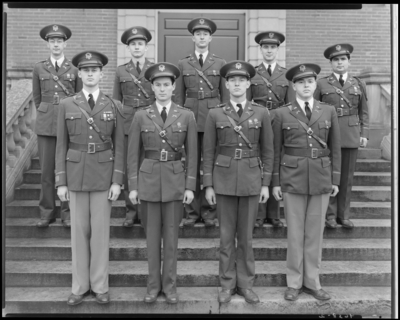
pixel 260 93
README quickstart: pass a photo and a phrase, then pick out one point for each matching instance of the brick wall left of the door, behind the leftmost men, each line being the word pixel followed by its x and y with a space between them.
pixel 92 29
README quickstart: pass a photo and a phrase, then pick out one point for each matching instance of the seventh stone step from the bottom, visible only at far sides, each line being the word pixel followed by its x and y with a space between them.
pixel 360 178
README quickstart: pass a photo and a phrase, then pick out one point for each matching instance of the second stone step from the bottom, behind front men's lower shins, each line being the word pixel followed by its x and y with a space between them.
pixel 196 273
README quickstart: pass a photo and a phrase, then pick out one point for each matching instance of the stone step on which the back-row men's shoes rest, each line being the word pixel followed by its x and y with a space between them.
pixel 364 228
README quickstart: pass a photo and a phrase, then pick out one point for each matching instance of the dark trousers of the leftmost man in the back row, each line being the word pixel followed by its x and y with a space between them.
pixel 47 202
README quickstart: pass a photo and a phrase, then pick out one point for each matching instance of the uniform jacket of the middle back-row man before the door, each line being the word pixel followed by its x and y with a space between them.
pixel 190 81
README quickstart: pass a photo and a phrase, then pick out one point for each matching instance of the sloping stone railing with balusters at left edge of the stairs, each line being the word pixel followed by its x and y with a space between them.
pixel 21 141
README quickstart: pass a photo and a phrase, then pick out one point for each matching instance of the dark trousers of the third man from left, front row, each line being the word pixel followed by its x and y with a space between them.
pixel 236 216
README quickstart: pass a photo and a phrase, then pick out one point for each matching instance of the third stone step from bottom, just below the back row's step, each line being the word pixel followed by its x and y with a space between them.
pixel 59 249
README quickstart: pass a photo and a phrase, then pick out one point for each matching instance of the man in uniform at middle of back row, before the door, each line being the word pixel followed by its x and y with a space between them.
pixel 200 88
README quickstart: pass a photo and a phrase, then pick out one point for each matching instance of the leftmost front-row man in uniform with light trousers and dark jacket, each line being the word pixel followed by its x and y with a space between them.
pixel 89 174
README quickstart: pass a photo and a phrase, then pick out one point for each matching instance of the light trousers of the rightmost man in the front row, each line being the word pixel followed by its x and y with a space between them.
pixel 305 222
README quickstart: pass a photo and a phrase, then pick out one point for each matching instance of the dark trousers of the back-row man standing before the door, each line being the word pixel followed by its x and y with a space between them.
pixel 199 206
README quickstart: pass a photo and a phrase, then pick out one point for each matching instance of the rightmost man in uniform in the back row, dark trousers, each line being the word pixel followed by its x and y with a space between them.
pixel 348 94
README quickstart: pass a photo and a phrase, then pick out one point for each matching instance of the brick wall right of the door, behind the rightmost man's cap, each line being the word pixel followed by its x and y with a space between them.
pixel 310 32
